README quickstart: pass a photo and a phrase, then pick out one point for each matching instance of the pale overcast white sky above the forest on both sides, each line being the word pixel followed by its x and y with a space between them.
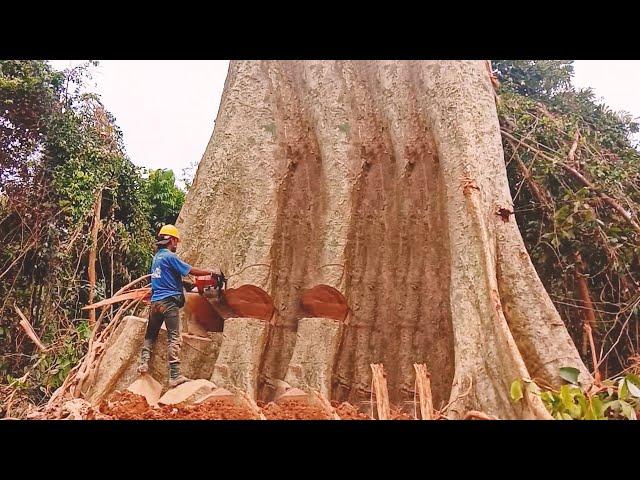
pixel 166 108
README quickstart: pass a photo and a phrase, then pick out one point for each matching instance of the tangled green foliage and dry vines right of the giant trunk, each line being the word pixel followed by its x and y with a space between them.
pixel 549 119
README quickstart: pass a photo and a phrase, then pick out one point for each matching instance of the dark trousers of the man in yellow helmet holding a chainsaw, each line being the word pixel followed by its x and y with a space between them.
pixel 167 311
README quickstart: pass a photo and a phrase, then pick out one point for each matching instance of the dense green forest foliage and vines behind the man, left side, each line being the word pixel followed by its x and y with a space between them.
pixel 59 148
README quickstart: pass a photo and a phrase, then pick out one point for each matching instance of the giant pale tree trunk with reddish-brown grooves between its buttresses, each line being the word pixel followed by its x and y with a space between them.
pixel 386 181
